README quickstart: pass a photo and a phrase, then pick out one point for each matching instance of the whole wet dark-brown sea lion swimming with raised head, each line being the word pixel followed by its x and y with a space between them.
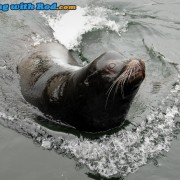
pixel 93 98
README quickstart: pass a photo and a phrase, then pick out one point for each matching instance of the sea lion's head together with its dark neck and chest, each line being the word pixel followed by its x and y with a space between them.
pixel 107 89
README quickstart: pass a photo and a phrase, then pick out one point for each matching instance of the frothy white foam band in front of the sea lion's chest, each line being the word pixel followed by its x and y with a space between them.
pixel 124 152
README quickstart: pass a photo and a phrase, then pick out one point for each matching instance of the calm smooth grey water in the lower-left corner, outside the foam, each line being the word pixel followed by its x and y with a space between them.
pixel 21 159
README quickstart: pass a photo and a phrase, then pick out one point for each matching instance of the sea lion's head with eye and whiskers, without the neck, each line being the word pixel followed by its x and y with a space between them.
pixel 120 76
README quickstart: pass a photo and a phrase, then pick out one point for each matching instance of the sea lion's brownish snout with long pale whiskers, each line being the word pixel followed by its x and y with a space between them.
pixel 127 77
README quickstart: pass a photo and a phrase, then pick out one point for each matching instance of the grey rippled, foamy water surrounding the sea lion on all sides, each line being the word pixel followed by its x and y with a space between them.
pixel 145 29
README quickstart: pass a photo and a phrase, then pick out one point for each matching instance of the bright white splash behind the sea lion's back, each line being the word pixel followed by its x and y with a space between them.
pixel 70 27
